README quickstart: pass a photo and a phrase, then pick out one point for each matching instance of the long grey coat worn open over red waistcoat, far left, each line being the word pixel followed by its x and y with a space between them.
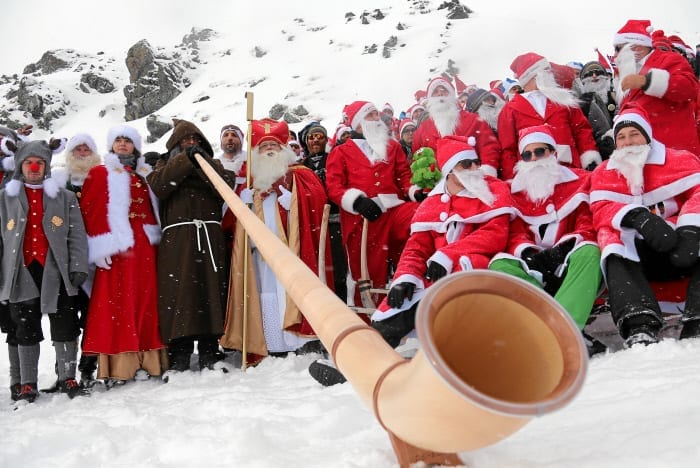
pixel 65 232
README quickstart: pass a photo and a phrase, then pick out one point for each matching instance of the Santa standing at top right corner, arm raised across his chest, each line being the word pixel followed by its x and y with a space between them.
pixel 661 82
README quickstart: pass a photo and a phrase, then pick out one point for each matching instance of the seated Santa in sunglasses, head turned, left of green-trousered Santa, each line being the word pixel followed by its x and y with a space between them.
pixel 459 227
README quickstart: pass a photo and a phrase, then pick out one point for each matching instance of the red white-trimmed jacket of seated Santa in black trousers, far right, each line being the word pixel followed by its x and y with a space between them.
pixel 671 190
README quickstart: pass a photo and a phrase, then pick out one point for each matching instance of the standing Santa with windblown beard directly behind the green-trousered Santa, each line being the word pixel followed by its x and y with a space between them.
pixel 544 101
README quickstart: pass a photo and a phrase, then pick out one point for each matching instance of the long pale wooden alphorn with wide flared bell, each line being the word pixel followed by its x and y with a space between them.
pixel 495 351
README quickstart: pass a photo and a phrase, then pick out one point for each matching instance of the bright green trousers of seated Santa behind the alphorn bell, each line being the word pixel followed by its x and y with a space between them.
pixel 581 282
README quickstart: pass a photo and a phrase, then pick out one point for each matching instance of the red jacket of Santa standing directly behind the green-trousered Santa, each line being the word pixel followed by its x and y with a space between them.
pixel 573 134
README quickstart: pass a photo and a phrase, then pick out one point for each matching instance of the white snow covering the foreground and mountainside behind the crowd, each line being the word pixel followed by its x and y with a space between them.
pixel 638 407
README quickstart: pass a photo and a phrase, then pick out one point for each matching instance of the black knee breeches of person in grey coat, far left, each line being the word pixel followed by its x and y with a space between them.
pixel 26 316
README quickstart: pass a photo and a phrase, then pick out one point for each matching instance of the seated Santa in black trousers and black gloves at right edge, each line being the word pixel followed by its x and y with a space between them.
pixel 646 209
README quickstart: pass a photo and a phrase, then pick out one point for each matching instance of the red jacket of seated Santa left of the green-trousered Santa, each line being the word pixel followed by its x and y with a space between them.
pixel 460 232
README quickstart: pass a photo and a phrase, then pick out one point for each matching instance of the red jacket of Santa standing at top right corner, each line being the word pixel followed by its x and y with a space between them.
pixel 669 100
